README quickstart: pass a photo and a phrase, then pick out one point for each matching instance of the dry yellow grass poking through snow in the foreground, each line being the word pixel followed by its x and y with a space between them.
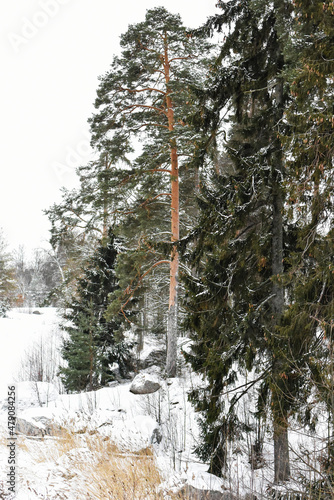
pixel 106 473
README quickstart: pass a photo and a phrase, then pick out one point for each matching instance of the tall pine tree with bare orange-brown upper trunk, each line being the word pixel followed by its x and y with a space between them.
pixel 146 97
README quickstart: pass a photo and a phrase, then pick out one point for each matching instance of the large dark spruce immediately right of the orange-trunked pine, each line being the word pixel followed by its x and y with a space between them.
pixel 236 303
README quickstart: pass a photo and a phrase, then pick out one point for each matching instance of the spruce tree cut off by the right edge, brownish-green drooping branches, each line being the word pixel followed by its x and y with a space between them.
pixel 308 141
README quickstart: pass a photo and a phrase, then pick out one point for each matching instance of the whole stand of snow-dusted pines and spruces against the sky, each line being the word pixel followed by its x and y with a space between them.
pixel 204 224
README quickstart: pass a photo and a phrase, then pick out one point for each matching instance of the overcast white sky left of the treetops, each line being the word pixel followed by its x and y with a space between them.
pixel 52 52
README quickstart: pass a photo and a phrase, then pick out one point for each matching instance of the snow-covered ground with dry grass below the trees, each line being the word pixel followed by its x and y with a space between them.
pixel 51 466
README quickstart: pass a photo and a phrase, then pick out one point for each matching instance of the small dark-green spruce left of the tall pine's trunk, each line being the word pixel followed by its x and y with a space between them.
pixel 93 343
